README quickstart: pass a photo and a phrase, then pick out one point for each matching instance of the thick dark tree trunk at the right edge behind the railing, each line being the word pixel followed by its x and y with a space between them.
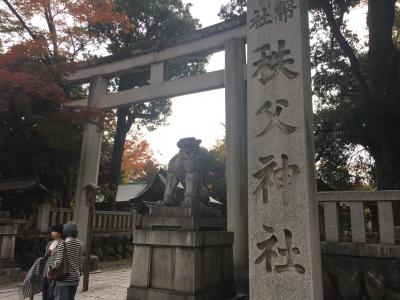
pixel 384 65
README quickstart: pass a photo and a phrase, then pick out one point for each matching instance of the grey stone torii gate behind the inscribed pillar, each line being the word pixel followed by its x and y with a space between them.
pixel 230 37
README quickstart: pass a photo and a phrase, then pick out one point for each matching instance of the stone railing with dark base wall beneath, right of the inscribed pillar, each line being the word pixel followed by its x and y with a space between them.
pixel 359 245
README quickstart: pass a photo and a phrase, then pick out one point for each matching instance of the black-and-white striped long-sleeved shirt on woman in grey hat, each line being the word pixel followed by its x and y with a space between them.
pixel 75 255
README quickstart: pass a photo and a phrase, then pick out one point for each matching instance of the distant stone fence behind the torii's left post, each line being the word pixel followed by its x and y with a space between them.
pixel 103 221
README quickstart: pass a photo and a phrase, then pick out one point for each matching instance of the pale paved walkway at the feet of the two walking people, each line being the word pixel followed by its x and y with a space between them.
pixel 107 285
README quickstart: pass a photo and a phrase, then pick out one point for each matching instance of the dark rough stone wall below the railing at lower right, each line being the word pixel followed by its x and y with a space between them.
pixel 360 278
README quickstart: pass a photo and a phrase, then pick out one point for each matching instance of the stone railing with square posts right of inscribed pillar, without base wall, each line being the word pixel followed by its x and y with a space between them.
pixel 378 205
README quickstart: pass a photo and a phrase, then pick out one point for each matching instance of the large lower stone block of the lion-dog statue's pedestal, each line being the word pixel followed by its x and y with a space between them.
pixel 182 265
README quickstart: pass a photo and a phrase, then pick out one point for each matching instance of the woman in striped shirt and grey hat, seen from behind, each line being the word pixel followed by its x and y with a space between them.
pixel 66 288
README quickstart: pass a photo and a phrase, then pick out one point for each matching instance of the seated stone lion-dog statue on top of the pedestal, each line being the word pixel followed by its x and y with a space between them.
pixel 186 168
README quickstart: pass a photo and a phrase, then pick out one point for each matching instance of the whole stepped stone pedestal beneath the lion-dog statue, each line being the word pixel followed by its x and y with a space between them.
pixel 182 257
